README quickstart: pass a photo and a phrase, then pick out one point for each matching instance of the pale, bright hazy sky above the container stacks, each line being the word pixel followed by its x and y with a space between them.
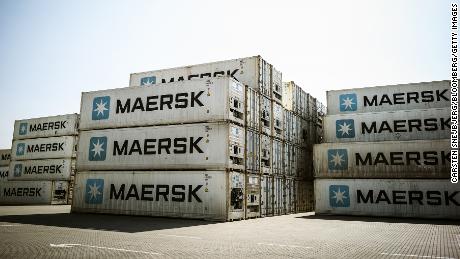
pixel 52 50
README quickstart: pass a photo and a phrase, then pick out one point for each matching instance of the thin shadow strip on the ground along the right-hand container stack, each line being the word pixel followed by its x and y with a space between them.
pixel 383 219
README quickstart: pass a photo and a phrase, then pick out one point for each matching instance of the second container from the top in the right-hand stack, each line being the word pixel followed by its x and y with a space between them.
pixel 388 126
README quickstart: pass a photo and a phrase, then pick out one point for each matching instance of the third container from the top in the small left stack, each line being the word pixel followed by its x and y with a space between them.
pixel 42 169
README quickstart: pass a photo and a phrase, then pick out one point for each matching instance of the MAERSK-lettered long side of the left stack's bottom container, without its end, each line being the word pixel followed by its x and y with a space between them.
pixel 26 192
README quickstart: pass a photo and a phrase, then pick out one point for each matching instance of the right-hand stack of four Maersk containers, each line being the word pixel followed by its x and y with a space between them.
pixel 387 153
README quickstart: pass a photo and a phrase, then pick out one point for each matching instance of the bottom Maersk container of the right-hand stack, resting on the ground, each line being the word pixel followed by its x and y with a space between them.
pixel 425 198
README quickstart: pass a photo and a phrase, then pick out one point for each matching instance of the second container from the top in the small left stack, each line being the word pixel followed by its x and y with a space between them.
pixel 43 148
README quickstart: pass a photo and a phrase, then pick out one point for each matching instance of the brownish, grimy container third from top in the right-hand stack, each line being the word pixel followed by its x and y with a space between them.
pixel 389 159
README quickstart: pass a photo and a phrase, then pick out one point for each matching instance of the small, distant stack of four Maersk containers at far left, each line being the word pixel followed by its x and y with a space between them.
pixel 42 163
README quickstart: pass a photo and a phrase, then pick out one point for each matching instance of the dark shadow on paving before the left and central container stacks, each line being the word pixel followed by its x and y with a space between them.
pixel 119 223
